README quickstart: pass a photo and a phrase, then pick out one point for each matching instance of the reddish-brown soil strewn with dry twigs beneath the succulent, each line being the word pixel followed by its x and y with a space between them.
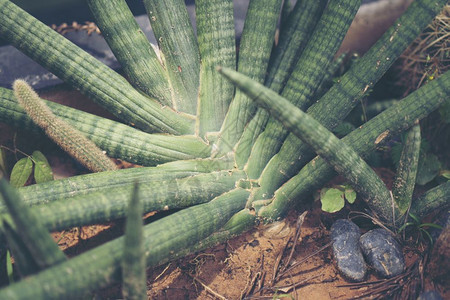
pixel 243 268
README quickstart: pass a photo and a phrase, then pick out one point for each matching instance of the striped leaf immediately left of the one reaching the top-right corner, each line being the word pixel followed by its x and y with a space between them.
pixel 306 77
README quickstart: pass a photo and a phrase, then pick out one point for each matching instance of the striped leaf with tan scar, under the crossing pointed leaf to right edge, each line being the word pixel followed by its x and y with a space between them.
pixel 364 140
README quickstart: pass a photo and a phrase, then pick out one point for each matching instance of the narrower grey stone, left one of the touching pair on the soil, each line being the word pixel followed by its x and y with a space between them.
pixel 349 259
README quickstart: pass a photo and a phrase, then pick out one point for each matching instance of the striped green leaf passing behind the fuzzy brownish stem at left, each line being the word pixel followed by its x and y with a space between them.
pixel 118 140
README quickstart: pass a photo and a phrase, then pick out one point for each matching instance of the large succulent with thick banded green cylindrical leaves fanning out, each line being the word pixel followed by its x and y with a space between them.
pixel 227 157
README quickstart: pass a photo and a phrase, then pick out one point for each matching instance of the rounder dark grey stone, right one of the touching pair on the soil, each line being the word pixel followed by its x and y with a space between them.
pixel 383 252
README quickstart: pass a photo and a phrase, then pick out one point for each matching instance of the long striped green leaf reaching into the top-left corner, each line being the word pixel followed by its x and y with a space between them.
pixel 84 72
